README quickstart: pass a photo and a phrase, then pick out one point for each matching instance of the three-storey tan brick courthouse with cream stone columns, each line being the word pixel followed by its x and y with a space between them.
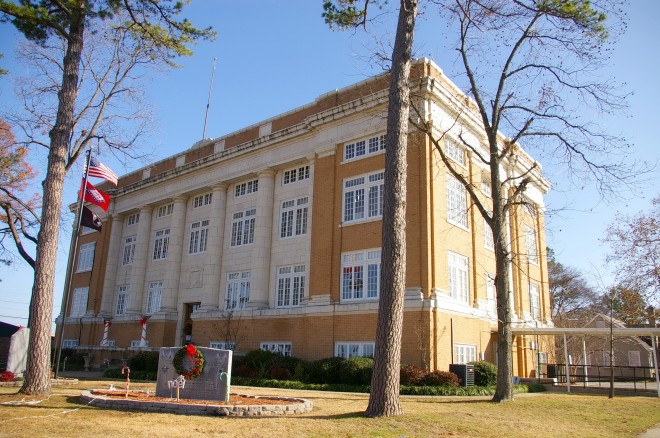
pixel 269 237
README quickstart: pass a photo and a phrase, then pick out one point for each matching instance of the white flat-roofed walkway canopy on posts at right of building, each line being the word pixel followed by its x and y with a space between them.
pixel 589 331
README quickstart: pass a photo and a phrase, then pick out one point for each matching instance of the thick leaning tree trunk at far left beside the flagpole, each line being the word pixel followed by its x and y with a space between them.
pixel 37 375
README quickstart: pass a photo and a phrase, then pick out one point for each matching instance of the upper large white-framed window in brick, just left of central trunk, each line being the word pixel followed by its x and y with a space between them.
pixel 354 197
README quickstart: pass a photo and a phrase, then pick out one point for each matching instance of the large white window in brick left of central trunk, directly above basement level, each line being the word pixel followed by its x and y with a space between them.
pixel 360 275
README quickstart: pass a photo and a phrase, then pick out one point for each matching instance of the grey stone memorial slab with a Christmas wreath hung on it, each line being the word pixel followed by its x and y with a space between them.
pixel 213 384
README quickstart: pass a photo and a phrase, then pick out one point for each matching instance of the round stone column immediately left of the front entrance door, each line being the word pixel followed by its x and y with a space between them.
pixel 175 249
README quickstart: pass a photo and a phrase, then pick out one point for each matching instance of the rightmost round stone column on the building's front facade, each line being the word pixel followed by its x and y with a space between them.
pixel 263 235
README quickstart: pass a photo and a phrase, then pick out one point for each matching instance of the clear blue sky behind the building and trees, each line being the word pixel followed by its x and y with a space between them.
pixel 274 56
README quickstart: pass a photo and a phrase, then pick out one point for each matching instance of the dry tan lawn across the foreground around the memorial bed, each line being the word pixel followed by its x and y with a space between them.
pixel 340 414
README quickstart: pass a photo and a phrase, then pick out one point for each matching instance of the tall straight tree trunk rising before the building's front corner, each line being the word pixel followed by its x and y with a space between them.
pixel 384 398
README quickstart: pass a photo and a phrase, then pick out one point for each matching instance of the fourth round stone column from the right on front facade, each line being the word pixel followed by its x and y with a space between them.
pixel 139 268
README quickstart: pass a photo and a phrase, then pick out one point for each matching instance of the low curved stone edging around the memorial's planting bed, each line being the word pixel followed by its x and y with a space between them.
pixel 301 406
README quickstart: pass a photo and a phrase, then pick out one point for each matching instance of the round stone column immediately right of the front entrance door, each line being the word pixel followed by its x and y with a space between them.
pixel 213 298
